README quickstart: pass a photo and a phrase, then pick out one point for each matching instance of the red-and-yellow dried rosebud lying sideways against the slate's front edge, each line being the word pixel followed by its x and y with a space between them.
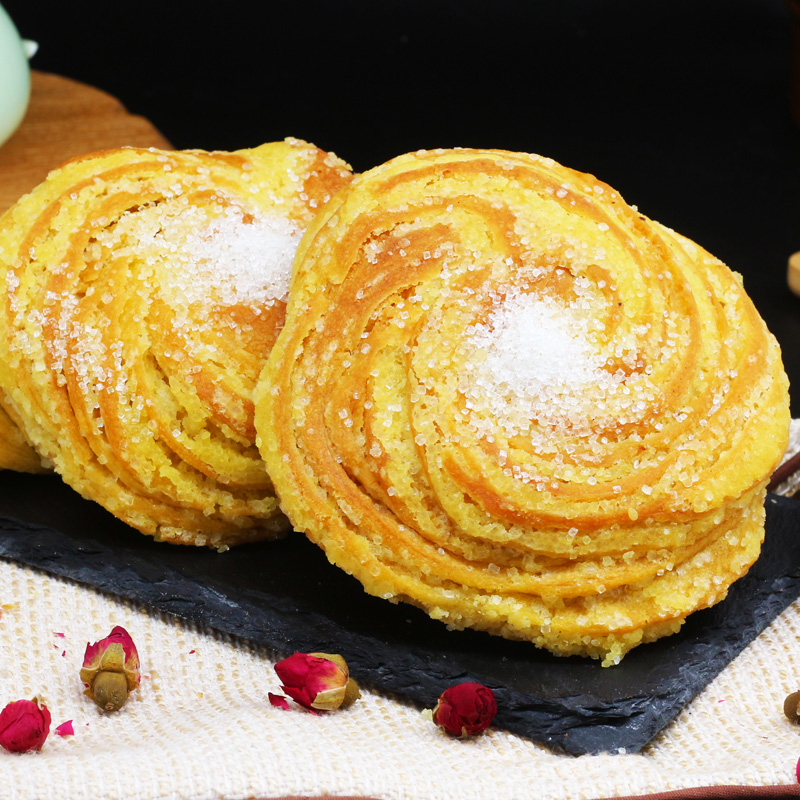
pixel 317 681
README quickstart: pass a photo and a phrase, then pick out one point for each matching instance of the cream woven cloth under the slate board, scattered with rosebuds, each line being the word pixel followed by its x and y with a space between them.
pixel 201 725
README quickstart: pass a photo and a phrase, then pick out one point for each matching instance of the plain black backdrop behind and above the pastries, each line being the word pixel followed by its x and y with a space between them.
pixel 681 105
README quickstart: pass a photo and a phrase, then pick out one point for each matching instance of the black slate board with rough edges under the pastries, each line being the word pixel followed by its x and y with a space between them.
pixel 285 596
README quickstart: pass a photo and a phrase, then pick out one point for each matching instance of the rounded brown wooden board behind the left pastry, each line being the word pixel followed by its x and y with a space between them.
pixel 65 118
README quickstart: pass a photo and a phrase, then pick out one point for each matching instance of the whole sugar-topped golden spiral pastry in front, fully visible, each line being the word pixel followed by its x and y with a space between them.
pixel 507 397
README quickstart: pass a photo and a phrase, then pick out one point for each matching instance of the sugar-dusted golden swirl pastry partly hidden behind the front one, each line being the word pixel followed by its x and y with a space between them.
pixel 143 290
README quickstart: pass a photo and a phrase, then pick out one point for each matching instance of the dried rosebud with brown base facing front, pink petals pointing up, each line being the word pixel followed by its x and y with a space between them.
pixel 110 669
